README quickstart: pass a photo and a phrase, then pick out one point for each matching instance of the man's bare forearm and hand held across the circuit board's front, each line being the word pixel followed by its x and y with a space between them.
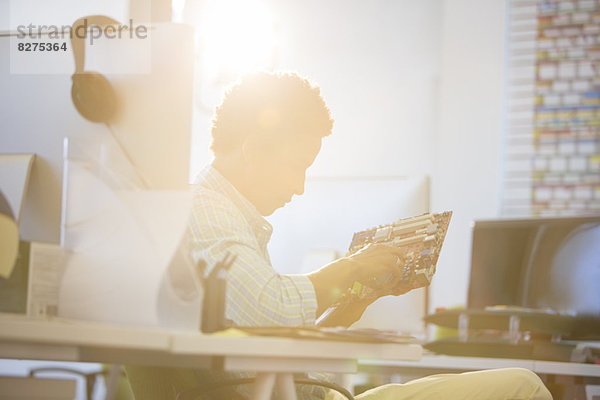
pixel 376 265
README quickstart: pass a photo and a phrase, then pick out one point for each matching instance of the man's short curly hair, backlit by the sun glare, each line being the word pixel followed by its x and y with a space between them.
pixel 269 103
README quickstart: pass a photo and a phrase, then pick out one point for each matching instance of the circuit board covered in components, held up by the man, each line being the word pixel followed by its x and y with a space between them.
pixel 420 237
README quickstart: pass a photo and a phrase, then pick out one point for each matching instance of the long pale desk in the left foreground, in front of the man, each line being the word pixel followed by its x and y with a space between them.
pixel 274 359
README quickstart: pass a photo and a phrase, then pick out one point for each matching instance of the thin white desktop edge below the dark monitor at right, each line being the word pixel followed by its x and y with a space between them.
pixel 441 363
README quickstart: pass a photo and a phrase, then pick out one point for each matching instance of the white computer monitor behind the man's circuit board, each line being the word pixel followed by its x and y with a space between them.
pixel 318 226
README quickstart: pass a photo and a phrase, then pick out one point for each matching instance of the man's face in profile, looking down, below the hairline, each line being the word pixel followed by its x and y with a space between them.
pixel 276 168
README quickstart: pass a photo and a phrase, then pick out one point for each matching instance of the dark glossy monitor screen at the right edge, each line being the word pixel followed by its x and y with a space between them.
pixel 551 264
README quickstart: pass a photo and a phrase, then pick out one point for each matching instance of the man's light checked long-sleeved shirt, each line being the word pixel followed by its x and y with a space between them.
pixel 256 294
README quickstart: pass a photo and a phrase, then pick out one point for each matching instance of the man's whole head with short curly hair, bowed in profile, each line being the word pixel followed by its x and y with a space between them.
pixel 266 133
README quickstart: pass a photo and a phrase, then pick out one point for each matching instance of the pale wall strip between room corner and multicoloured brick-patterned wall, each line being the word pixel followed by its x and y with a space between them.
pixel 469 137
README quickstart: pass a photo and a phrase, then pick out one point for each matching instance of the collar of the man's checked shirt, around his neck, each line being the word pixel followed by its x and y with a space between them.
pixel 212 179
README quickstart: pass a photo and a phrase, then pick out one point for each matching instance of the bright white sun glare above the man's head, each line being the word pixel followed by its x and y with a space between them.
pixel 237 36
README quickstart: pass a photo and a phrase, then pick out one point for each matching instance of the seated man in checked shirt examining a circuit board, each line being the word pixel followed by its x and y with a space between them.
pixel 266 133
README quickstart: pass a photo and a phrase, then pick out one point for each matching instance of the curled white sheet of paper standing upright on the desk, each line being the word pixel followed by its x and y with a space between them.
pixel 121 243
